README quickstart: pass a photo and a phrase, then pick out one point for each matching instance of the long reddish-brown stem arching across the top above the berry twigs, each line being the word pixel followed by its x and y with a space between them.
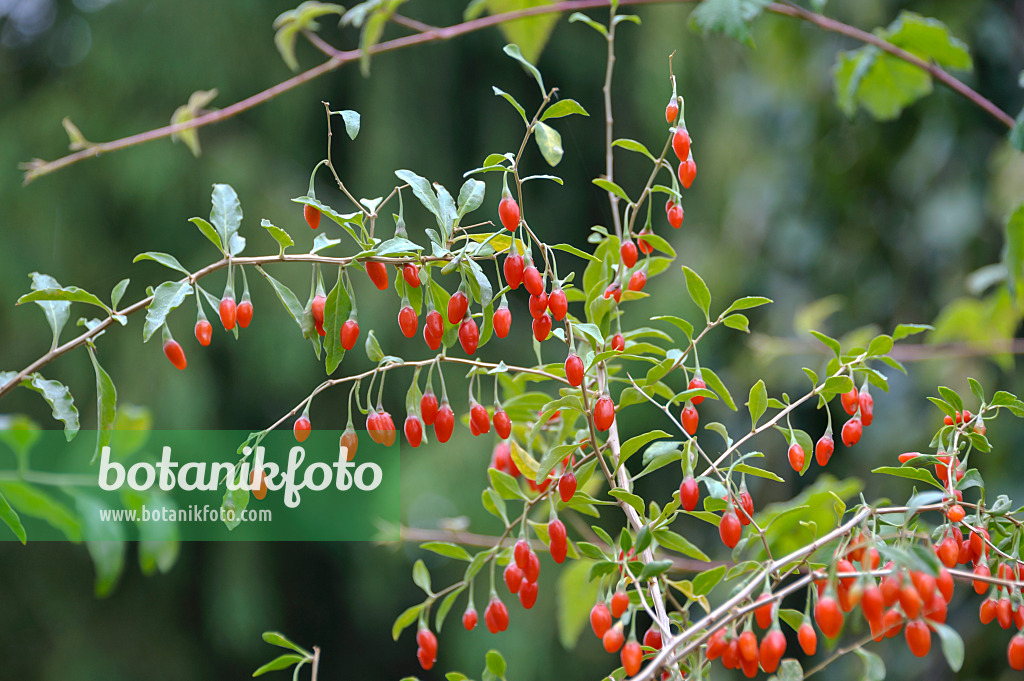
pixel 38 167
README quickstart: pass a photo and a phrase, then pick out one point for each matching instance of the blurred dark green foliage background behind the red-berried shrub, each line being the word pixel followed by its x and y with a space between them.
pixel 793 201
